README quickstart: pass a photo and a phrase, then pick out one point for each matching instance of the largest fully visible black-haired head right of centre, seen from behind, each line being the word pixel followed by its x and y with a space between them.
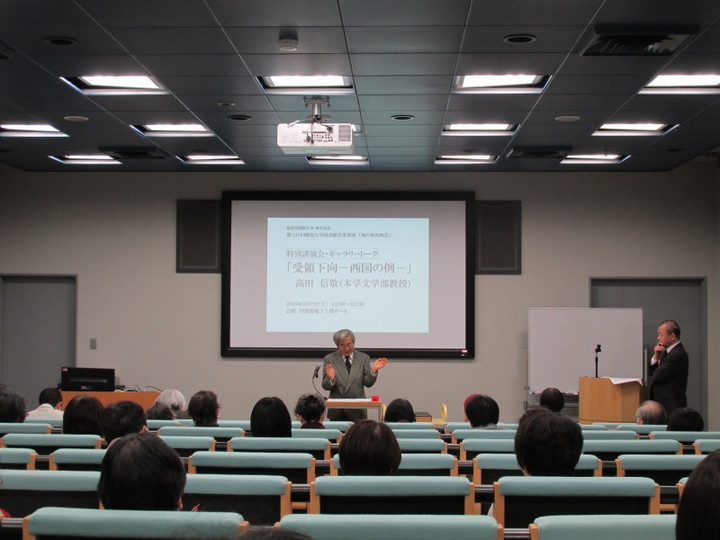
pixel 547 444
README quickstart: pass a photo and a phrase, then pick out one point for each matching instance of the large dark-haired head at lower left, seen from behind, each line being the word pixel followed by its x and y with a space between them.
pixel 141 472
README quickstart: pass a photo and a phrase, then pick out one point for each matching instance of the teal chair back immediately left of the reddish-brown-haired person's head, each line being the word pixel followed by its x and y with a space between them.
pixel 297 467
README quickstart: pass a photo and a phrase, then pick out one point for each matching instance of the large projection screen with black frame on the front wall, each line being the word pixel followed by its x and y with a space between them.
pixel 396 268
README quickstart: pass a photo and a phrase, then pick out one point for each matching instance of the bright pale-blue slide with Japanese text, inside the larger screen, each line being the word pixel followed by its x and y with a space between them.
pixel 371 272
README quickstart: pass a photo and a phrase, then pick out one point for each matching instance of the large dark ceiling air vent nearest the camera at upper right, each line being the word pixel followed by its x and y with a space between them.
pixel 637 40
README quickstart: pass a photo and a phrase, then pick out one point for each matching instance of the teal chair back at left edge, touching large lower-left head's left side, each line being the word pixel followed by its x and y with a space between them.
pixel 23 492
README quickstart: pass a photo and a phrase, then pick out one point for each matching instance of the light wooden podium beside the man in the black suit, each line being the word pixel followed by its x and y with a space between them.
pixel 603 401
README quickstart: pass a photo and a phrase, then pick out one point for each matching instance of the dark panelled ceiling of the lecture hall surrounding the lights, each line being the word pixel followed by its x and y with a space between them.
pixel 403 60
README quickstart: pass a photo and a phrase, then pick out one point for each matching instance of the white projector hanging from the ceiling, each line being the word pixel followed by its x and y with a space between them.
pixel 309 138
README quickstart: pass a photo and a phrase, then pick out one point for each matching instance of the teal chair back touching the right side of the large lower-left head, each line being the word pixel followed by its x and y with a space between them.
pixel 261 500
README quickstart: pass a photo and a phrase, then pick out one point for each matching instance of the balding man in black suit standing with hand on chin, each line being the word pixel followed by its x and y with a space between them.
pixel 669 369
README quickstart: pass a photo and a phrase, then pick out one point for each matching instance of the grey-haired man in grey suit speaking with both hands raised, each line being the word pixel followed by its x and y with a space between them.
pixel 347 373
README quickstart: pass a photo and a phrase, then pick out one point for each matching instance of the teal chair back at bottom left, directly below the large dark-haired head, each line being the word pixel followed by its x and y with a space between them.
pixel 49 523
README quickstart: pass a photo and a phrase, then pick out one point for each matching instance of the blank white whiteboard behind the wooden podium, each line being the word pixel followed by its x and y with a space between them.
pixel 562 342
